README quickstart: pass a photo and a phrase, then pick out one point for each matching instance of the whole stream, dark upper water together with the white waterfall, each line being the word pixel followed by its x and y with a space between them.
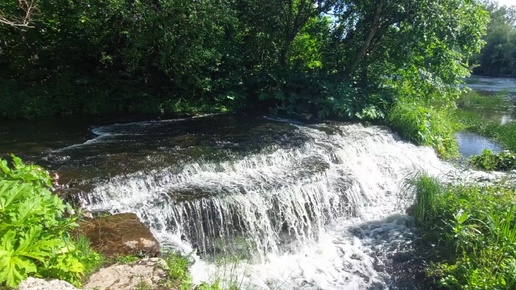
pixel 263 203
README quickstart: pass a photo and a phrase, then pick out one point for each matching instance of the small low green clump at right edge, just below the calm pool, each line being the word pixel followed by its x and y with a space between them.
pixel 503 161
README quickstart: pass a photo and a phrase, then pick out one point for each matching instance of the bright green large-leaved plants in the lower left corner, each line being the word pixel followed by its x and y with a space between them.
pixel 33 228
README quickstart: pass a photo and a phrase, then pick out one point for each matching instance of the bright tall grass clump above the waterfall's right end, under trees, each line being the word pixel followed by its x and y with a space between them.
pixel 425 125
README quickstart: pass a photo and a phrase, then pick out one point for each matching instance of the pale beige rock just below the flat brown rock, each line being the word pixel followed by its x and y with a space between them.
pixel 144 273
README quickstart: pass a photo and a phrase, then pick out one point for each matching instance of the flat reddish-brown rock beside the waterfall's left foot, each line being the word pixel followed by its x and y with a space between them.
pixel 119 235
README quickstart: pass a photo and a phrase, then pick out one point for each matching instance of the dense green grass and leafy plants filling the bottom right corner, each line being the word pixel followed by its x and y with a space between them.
pixel 469 235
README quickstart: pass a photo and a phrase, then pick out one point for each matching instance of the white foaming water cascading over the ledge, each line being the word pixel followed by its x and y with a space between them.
pixel 327 212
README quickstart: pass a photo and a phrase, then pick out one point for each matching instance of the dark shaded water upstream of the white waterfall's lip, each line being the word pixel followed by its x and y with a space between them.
pixel 84 151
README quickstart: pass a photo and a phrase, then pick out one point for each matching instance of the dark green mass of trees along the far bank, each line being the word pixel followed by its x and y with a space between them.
pixel 313 58
